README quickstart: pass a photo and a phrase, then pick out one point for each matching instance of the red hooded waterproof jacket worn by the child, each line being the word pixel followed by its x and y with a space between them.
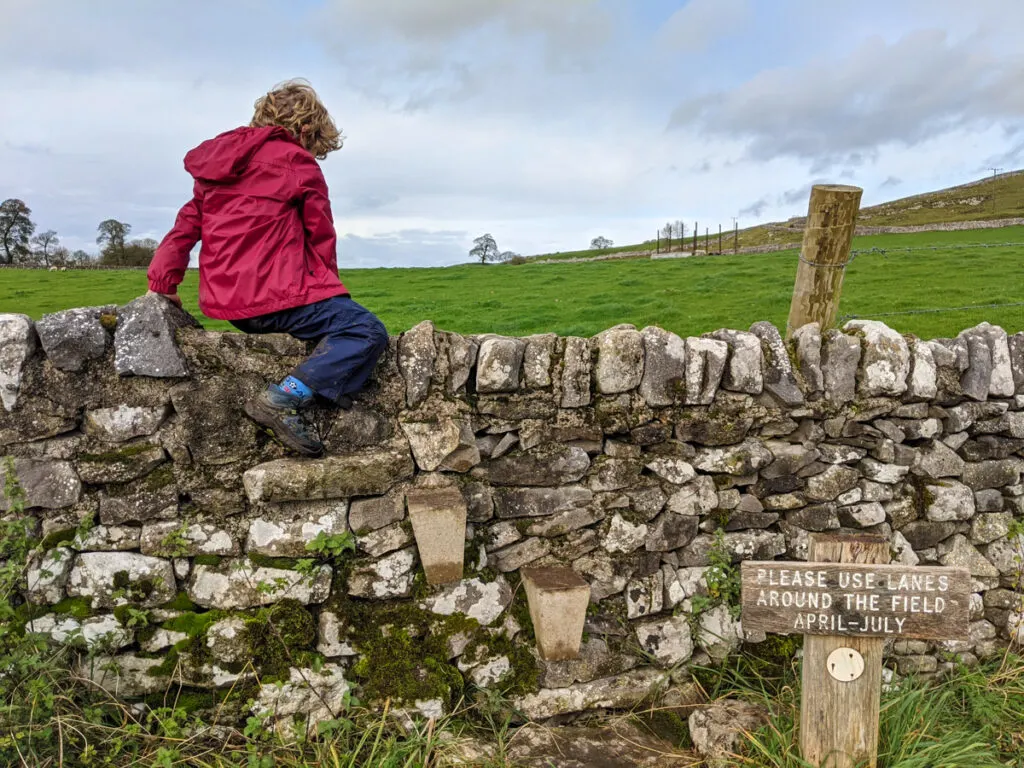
pixel 261 206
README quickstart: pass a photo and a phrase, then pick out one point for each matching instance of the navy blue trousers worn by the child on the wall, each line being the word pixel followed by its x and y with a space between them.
pixel 350 337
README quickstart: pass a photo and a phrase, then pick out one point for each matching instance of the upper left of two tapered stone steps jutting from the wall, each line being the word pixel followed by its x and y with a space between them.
pixel 439 518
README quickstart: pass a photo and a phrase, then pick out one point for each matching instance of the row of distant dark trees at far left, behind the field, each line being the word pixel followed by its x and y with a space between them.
pixel 20 245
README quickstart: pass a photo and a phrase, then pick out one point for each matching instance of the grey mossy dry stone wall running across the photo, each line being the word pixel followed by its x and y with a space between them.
pixel 182 549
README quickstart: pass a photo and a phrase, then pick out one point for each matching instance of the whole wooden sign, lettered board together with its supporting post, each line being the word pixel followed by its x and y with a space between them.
pixel 847 600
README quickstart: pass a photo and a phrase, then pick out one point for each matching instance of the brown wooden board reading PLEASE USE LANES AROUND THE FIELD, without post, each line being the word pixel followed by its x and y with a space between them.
pixel 918 603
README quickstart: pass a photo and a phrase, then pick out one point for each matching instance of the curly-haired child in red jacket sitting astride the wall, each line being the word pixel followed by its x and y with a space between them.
pixel 269 257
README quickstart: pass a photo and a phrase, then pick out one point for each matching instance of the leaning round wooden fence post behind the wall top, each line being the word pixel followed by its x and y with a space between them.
pixel 832 217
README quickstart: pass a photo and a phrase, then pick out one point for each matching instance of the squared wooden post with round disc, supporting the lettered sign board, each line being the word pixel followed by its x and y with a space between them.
pixel 839 721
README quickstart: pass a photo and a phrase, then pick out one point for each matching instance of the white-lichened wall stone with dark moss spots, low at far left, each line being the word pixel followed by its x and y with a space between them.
pixel 112 579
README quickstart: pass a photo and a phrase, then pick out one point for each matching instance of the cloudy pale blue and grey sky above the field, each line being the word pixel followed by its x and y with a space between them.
pixel 545 123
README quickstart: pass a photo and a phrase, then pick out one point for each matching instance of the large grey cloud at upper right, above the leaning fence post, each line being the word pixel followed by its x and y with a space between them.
pixel 840 112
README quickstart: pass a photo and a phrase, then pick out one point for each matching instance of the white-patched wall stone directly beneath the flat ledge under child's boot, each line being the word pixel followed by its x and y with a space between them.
pixel 271 535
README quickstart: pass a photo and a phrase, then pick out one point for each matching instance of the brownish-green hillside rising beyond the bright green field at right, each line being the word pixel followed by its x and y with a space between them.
pixel 993 198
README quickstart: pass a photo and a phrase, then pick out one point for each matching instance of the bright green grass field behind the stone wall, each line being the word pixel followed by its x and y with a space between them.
pixel 688 296
